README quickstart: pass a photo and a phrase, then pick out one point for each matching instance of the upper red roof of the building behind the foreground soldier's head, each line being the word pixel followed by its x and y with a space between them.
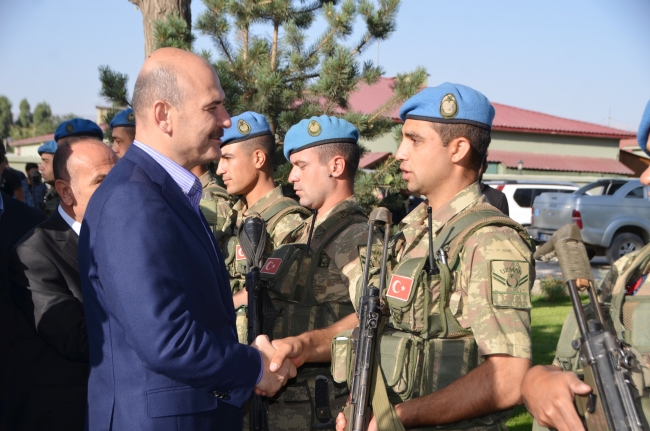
pixel 368 98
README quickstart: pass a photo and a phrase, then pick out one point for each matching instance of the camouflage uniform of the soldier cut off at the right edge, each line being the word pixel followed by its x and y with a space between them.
pixel 627 316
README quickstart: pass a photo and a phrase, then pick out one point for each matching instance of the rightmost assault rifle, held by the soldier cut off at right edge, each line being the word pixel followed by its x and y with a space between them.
pixel 605 359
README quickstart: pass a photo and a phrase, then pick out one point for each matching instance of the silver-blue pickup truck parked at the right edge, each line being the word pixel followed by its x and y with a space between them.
pixel 613 216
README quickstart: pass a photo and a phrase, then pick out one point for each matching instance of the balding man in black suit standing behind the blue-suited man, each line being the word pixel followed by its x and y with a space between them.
pixel 49 356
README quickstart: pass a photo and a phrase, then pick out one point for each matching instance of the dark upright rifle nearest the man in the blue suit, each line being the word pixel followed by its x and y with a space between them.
pixel 252 239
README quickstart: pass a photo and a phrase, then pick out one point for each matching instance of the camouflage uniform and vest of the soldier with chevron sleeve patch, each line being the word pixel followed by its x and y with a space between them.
pixel 489 301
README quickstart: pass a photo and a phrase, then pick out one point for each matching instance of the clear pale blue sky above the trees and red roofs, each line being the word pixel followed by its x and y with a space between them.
pixel 582 59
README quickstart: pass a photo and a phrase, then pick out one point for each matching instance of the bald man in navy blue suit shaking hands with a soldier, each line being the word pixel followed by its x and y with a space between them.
pixel 164 353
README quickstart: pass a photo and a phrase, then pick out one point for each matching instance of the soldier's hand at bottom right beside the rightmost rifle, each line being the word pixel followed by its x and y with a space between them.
pixel 549 392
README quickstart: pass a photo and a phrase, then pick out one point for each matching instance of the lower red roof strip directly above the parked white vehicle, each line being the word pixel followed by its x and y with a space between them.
pixel 555 162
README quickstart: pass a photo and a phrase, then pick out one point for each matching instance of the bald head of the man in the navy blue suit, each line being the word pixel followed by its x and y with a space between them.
pixel 178 104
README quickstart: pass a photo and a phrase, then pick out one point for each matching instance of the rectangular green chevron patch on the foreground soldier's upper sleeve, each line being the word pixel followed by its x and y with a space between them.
pixel 510 284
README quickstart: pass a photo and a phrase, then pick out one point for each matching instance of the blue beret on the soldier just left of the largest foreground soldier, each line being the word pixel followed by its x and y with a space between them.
pixel 318 131
